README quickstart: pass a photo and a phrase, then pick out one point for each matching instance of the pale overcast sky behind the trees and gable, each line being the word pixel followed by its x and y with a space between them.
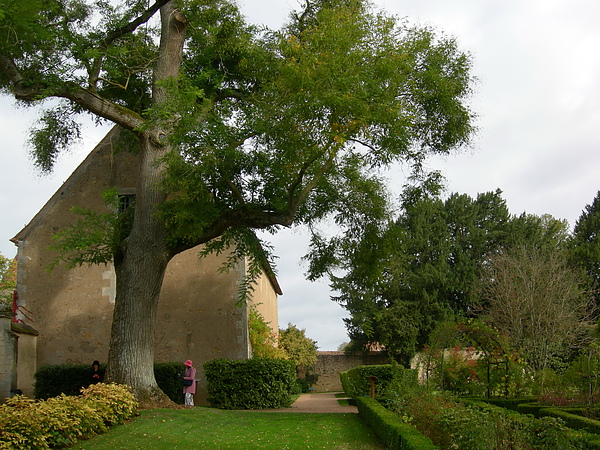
pixel 538 102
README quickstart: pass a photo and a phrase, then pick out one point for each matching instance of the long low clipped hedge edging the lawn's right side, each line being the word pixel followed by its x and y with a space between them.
pixel 389 427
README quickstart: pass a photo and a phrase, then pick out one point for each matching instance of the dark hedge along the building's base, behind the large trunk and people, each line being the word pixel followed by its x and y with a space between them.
pixel 69 379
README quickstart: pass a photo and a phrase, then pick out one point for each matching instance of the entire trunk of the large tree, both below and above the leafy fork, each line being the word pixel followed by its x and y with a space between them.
pixel 140 268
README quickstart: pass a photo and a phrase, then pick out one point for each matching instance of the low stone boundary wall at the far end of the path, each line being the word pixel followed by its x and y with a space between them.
pixel 330 364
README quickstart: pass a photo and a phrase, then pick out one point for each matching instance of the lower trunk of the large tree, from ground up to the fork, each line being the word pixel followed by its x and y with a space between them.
pixel 140 272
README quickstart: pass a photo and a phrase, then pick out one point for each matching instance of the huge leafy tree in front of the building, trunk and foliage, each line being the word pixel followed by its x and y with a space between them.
pixel 238 129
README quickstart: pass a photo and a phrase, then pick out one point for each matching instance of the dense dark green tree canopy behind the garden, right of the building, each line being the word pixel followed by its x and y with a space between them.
pixel 402 279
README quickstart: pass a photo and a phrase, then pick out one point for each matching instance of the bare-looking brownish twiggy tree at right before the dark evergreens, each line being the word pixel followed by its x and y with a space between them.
pixel 539 303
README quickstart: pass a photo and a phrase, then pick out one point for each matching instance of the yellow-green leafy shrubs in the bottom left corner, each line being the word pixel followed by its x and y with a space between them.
pixel 61 421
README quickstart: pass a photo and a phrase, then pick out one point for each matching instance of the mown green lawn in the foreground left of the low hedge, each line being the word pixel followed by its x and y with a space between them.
pixel 208 428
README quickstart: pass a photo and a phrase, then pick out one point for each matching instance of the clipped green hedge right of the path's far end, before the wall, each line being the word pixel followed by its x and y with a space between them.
pixel 356 384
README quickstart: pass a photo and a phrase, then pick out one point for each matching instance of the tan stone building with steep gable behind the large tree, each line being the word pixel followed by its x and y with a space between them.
pixel 198 317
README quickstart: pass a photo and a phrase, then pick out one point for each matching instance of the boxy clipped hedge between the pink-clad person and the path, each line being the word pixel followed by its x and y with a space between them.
pixel 250 384
